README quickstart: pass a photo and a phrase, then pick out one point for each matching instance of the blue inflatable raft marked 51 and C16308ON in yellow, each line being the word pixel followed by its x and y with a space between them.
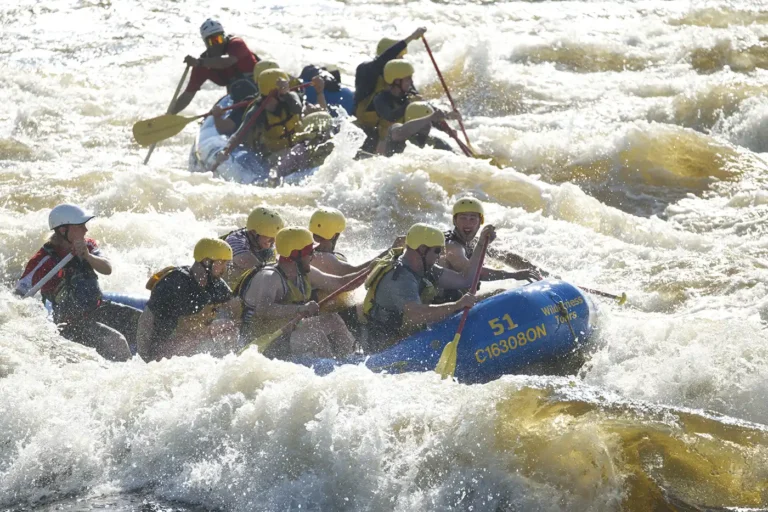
pixel 540 328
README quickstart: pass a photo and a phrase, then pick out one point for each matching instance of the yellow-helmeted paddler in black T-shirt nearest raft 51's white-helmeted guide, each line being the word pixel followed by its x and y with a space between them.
pixel 180 317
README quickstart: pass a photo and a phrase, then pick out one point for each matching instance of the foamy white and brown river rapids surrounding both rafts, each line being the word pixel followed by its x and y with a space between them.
pixel 633 137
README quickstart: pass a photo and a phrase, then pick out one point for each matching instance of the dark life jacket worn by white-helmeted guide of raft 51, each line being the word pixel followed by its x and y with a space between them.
pixel 77 293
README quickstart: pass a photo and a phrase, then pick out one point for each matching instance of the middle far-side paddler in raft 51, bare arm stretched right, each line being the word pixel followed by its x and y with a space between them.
pixel 326 225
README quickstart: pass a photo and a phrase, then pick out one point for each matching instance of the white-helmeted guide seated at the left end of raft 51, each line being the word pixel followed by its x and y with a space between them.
pixel 79 310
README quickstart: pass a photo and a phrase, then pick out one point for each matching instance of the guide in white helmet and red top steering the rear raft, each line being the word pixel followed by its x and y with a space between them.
pixel 226 59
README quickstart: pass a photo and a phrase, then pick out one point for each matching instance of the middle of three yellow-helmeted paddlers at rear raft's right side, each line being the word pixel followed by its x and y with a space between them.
pixel 391 103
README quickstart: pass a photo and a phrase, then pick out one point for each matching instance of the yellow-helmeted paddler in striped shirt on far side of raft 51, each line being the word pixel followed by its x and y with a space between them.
pixel 253 245
